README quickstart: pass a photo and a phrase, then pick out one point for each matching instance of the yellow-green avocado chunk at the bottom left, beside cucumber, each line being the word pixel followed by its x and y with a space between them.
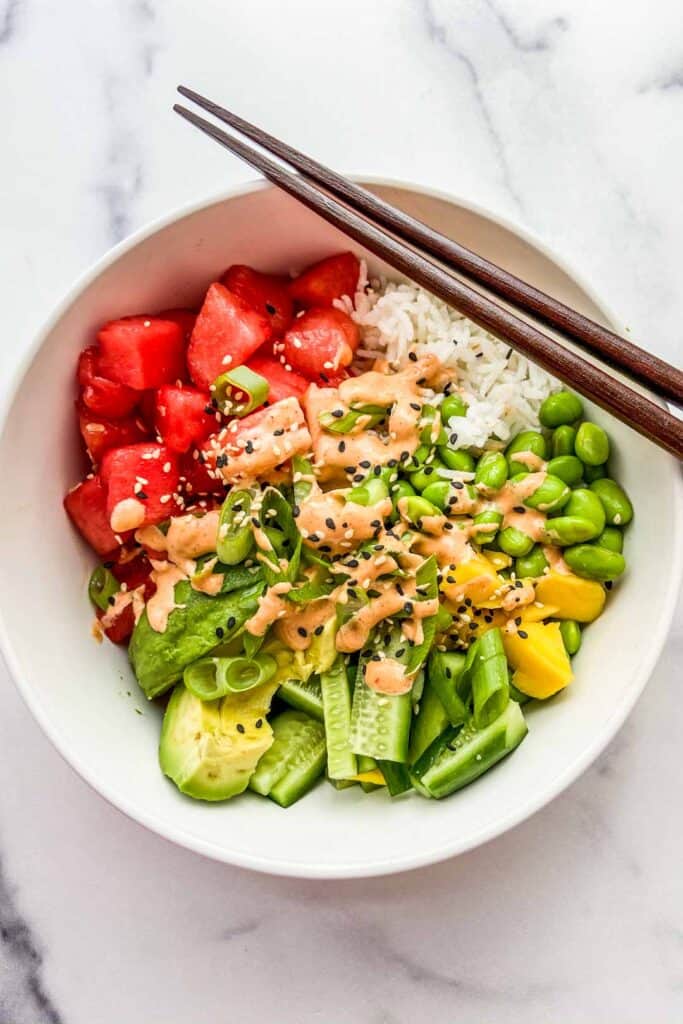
pixel 210 749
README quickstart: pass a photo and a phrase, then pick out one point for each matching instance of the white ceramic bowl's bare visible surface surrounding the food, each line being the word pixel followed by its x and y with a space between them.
pixel 86 697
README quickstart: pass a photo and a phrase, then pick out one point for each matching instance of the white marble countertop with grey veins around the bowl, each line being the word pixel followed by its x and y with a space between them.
pixel 566 117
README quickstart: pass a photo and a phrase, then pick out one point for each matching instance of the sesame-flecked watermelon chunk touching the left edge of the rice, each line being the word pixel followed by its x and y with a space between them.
pixel 321 343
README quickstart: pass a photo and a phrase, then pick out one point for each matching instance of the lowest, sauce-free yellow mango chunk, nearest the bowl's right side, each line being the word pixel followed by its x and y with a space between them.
pixel 541 662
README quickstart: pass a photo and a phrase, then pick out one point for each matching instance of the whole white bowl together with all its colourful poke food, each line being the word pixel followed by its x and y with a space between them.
pixel 310 715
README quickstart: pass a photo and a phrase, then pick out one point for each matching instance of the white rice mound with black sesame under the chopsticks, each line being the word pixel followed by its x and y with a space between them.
pixel 503 390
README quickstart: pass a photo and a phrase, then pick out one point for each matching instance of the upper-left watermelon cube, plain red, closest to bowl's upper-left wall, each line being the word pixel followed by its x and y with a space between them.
pixel 143 352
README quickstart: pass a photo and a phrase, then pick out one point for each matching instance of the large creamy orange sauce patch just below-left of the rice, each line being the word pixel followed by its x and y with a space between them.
pixel 398 392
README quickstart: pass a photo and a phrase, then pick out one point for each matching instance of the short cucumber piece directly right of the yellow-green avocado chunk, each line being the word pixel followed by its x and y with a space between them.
pixel 296 759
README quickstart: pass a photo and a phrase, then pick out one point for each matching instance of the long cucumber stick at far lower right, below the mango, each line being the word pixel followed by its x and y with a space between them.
pixel 458 760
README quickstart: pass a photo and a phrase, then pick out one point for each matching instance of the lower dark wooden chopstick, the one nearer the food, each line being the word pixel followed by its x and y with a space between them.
pixel 638 412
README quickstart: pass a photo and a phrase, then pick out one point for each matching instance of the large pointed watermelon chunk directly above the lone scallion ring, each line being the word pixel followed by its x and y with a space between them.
pixel 227 333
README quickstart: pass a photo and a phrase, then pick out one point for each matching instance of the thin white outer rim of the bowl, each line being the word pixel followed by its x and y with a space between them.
pixel 436 854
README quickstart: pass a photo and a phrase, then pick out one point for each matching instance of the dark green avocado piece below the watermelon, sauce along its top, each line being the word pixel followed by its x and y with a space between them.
pixel 159 659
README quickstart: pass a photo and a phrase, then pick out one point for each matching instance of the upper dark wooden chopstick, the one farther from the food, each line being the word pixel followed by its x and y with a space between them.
pixel 636 363
